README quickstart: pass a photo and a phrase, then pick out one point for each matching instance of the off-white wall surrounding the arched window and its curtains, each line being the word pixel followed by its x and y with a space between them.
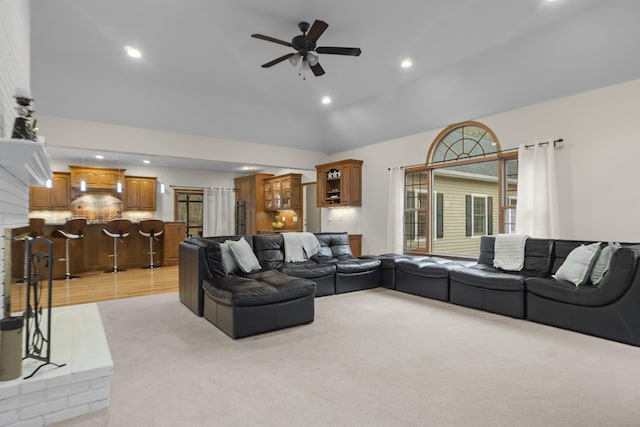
pixel 598 170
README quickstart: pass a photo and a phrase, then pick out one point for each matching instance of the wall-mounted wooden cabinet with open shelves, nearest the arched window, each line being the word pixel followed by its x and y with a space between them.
pixel 339 184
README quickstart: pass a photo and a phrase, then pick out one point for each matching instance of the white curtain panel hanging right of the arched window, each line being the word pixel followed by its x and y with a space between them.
pixel 537 206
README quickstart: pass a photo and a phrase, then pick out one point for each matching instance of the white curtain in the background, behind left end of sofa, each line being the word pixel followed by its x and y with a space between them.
pixel 218 212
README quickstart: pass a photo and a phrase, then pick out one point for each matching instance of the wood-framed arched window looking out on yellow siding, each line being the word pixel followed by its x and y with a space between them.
pixel 466 189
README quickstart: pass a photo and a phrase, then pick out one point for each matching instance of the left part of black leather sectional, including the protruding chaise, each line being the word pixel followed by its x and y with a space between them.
pixel 280 294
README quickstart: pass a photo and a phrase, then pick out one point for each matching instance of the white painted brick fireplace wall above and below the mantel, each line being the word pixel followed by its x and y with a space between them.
pixel 15 66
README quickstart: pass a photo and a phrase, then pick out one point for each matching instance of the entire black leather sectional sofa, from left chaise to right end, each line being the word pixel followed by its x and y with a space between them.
pixel 610 310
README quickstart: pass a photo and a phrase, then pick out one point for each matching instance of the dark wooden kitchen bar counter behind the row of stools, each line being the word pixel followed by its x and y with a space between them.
pixel 91 252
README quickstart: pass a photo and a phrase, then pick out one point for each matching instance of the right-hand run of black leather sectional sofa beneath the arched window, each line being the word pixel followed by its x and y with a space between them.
pixel 610 310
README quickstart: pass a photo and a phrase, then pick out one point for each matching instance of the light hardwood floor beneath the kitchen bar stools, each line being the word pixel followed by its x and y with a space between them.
pixel 97 286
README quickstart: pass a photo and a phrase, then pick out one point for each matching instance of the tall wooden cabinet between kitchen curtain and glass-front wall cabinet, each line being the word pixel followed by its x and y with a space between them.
pixel 250 200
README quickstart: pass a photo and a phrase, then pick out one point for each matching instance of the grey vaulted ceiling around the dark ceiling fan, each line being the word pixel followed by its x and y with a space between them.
pixel 200 70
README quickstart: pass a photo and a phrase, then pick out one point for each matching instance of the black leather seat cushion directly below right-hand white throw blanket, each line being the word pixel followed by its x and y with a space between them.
pixel 484 276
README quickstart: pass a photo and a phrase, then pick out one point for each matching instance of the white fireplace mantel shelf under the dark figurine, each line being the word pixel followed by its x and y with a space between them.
pixel 26 160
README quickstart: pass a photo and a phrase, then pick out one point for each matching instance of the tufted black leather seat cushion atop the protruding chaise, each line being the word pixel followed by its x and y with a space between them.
pixel 244 291
